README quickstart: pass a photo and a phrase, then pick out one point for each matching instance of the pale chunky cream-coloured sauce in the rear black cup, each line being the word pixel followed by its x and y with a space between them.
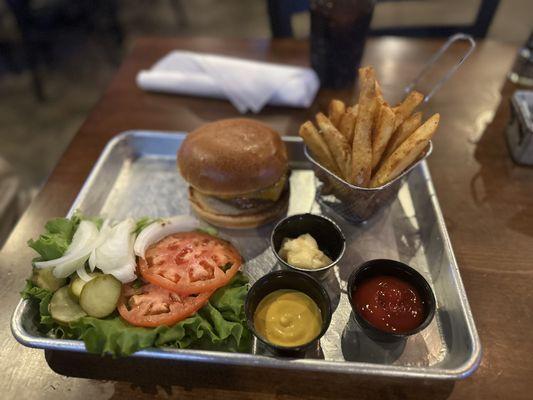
pixel 303 252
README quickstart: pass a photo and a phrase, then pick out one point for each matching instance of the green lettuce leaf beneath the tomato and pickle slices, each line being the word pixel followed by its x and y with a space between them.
pixel 219 325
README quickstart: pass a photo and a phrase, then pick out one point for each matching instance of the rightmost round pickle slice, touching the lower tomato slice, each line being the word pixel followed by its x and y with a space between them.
pixel 99 296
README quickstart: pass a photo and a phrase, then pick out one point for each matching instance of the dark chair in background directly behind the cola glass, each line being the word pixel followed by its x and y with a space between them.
pixel 281 12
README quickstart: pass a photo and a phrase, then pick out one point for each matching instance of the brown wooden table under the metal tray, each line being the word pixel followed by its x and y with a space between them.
pixel 486 199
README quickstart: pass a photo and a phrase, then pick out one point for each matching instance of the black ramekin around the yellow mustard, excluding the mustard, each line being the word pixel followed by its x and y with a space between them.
pixel 286 279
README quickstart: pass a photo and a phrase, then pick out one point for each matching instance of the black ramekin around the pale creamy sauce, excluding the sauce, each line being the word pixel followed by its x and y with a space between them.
pixel 327 233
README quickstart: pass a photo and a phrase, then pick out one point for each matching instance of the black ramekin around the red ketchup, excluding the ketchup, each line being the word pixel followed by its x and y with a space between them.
pixel 400 270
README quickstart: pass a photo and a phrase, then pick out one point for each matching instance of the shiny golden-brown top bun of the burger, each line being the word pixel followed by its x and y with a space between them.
pixel 232 157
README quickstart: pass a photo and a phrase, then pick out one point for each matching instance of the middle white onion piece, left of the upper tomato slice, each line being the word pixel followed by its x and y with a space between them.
pixel 115 254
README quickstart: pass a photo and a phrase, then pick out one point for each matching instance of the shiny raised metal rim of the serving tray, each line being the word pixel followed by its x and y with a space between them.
pixel 243 359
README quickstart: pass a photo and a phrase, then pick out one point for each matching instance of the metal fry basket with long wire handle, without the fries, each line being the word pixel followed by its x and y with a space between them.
pixel 358 204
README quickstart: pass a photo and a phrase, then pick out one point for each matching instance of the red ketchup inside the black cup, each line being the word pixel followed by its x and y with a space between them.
pixel 389 304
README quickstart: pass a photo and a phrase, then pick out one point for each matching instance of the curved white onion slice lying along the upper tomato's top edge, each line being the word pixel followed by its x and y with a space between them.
pixel 160 229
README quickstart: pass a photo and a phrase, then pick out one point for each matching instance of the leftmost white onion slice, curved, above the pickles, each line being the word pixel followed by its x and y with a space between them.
pixel 77 253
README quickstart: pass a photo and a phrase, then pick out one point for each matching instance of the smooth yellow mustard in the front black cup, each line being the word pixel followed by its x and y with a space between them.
pixel 288 318
